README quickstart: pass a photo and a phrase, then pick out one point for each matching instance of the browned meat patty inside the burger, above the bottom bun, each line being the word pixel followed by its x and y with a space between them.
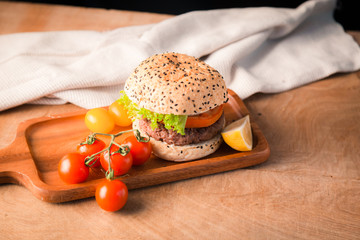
pixel 192 135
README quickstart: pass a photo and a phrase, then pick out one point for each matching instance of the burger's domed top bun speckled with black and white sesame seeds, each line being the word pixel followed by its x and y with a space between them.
pixel 176 83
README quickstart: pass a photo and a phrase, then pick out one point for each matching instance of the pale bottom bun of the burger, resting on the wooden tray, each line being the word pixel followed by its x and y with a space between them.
pixel 182 153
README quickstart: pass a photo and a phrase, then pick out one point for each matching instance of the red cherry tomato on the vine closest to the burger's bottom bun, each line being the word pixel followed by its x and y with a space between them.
pixel 140 151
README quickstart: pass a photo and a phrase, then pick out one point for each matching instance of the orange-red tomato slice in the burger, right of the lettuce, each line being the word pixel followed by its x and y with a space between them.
pixel 204 119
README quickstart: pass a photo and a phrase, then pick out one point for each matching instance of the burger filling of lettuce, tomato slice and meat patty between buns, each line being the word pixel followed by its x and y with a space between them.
pixel 176 129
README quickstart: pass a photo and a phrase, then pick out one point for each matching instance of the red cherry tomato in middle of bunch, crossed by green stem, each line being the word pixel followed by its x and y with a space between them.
pixel 120 164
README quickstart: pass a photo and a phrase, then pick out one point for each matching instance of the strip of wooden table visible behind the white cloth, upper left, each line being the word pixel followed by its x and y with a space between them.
pixel 44 17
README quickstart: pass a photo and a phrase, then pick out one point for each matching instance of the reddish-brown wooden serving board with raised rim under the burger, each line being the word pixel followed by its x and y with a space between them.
pixel 32 158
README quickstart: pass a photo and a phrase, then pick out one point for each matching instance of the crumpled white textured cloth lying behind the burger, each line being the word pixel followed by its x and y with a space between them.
pixel 255 49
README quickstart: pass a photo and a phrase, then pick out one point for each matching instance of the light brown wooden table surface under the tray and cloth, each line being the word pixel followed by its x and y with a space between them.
pixel 308 189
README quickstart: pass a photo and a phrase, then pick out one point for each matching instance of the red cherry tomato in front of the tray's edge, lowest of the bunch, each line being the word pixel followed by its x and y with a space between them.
pixel 111 195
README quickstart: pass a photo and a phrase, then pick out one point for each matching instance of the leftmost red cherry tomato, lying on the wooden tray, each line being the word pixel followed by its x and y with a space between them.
pixel 72 168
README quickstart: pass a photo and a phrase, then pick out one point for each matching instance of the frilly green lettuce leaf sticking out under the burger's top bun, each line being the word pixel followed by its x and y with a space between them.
pixel 170 121
